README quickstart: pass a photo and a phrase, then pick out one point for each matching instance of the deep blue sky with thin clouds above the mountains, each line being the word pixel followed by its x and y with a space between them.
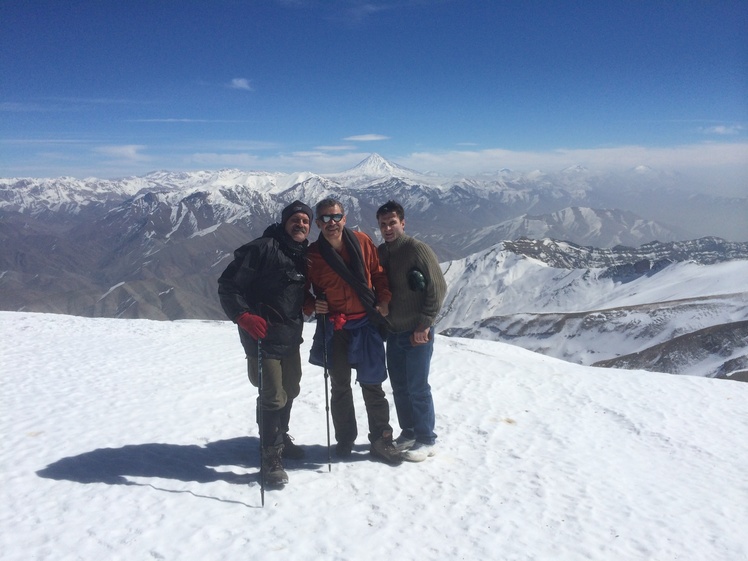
pixel 114 88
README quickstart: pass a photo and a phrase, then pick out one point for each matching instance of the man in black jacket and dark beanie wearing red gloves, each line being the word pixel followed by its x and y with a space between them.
pixel 262 291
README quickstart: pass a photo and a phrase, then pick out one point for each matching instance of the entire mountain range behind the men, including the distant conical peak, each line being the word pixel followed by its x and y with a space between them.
pixel 153 247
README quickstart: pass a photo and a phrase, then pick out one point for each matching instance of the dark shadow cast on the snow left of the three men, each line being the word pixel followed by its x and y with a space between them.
pixel 166 461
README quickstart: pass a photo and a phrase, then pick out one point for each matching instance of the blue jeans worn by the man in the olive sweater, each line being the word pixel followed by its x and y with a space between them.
pixel 409 375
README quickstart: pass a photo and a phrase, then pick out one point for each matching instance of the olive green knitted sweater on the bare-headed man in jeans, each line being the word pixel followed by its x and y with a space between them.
pixel 411 310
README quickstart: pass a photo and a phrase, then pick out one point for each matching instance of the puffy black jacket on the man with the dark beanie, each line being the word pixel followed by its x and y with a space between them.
pixel 267 278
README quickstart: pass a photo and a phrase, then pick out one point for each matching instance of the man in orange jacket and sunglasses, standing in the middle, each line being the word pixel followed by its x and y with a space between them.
pixel 352 296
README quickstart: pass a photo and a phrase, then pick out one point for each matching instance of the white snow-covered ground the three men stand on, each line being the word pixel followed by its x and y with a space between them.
pixel 135 439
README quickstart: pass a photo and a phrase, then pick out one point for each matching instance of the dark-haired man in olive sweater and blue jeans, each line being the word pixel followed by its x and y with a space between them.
pixel 418 290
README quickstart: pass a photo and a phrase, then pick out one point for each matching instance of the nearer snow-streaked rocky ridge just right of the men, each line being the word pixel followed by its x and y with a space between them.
pixel 668 307
